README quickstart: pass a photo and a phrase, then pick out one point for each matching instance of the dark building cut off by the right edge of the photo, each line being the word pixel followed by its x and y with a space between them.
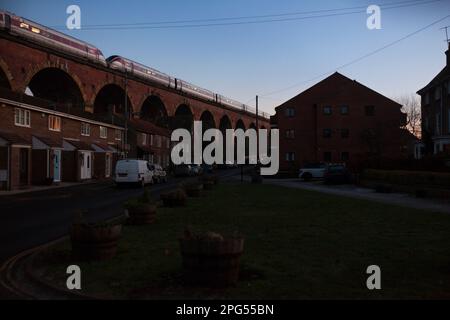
pixel 435 107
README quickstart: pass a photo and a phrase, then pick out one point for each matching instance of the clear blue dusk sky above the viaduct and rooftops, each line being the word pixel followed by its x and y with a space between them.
pixel 241 61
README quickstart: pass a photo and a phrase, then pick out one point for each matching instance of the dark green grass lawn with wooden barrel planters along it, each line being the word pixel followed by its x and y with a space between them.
pixel 298 244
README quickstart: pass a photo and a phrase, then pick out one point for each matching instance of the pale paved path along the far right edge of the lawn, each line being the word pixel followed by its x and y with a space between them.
pixel 399 199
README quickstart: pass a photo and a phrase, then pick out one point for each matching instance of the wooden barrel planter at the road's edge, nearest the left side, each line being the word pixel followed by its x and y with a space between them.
pixel 94 242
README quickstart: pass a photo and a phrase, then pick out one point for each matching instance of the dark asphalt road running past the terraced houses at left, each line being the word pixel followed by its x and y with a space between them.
pixel 31 219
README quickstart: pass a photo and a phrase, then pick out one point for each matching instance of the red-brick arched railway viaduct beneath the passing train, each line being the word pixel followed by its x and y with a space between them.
pixel 56 76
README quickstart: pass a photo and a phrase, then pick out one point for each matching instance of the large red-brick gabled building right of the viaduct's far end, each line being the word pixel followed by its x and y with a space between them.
pixel 338 120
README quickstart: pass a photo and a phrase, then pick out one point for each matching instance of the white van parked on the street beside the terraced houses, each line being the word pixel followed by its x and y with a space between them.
pixel 133 171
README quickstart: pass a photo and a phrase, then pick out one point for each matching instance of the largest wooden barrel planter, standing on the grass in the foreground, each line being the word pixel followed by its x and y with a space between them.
pixel 211 263
